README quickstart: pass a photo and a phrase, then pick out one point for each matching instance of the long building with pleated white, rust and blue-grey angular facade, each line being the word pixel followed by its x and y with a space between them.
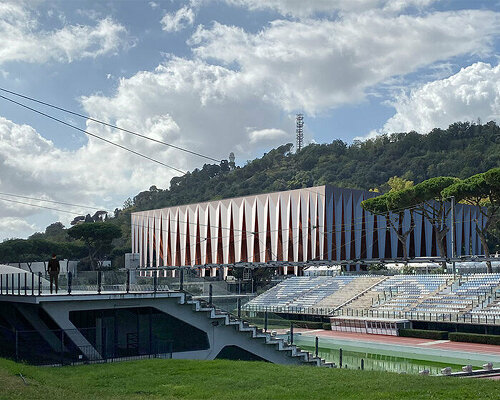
pixel 319 223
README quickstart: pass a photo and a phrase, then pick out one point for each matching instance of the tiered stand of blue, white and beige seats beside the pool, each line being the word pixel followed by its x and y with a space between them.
pixel 477 294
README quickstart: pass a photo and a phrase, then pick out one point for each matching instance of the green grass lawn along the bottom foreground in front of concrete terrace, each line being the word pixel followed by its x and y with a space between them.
pixel 183 379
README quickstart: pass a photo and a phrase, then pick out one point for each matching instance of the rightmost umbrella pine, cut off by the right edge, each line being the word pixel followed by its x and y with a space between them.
pixel 482 191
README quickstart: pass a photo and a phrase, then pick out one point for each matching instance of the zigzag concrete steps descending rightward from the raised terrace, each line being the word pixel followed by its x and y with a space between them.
pixel 279 344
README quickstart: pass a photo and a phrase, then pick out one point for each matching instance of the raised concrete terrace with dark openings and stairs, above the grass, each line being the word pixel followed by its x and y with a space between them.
pixel 90 326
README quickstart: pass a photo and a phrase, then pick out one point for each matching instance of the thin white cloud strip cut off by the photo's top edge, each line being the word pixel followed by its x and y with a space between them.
pixel 302 8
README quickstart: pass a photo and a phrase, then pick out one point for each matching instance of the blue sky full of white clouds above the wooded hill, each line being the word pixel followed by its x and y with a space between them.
pixel 220 76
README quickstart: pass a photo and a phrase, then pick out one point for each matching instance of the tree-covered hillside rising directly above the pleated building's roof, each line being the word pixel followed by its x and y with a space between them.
pixel 461 150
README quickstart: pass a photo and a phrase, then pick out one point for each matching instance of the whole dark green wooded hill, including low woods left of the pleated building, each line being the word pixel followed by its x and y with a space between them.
pixel 461 150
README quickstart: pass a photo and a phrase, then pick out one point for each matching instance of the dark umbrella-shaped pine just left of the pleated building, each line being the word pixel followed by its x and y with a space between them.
pixel 98 238
